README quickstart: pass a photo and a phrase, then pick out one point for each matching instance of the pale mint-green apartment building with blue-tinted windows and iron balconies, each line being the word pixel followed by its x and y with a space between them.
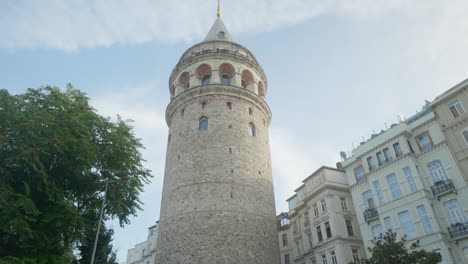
pixel 406 180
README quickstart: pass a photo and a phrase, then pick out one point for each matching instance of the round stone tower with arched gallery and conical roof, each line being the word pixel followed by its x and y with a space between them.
pixel 218 203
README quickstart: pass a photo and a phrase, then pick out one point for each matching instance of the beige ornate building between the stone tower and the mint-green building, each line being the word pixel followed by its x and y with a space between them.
pixel 322 221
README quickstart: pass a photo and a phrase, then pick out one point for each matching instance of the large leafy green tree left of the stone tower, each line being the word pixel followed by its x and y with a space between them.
pixel 50 143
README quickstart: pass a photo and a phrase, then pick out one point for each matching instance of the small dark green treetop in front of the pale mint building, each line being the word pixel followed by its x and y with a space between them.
pixel 387 250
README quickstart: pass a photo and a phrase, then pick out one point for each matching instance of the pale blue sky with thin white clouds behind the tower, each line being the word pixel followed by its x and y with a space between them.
pixel 337 69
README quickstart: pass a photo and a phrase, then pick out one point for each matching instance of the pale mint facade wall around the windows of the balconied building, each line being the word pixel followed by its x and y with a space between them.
pixel 403 133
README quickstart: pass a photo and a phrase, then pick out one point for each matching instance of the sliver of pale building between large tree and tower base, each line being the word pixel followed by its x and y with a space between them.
pixel 144 252
